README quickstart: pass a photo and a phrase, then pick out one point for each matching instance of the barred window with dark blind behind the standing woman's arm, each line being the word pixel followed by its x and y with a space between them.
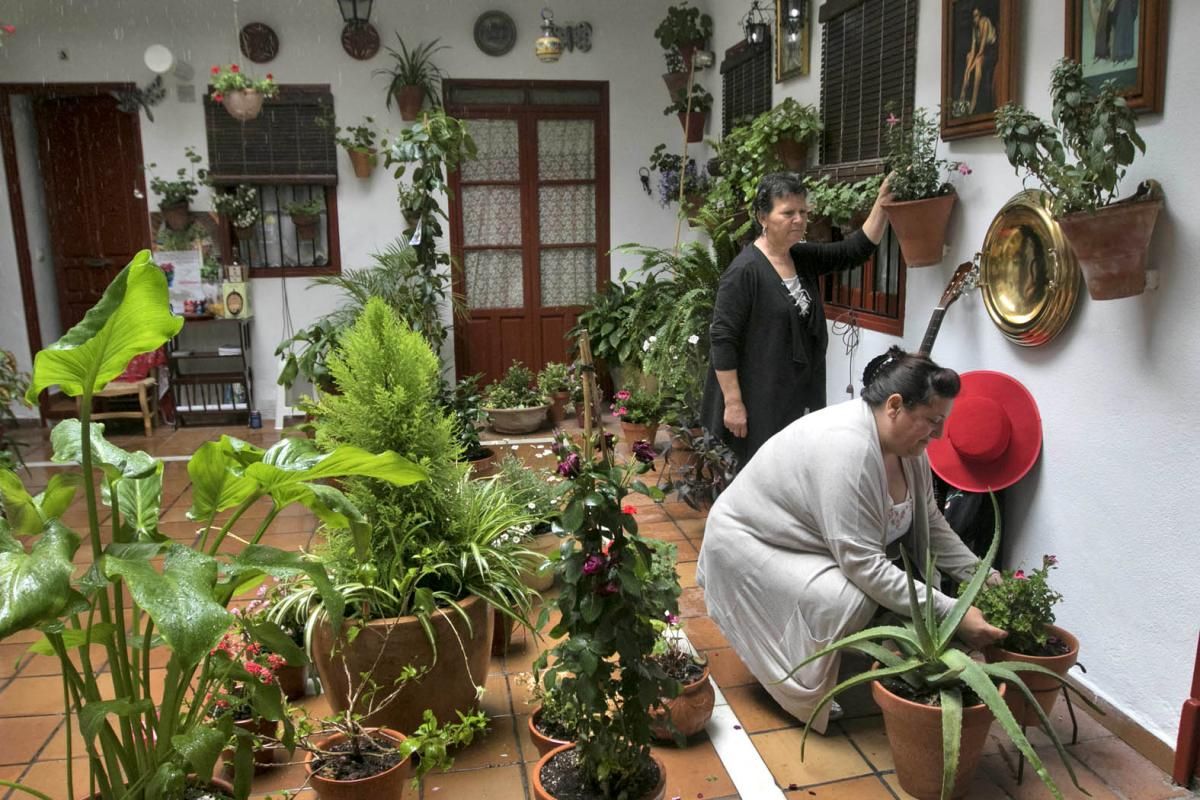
pixel 868 63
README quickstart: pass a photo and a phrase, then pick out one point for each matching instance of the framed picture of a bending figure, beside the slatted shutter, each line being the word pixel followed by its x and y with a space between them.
pixel 979 64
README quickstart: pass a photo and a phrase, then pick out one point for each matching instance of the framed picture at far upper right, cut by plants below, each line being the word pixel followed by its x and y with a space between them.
pixel 1123 41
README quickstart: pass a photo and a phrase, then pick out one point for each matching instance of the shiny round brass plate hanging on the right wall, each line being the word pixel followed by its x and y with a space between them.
pixel 1028 272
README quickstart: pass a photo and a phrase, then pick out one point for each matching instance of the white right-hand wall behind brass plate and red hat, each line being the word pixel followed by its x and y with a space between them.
pixel 1114 490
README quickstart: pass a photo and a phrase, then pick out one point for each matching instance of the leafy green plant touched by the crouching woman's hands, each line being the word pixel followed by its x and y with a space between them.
pixel 1023 604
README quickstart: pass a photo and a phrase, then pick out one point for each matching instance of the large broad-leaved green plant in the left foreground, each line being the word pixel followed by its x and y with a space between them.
pixel 148 597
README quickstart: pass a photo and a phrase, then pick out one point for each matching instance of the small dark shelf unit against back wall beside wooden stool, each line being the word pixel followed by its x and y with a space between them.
pixel 206 383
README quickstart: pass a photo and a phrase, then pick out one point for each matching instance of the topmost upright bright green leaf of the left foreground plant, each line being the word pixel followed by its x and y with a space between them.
pixel 133 317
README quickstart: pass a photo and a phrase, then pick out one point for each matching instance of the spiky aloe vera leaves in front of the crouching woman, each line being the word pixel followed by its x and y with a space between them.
pixel 929 661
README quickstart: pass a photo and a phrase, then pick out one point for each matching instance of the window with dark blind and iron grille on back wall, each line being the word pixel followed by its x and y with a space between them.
pixel 289 157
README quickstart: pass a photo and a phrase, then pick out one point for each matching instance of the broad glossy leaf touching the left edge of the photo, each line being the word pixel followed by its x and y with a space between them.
pixel 35 587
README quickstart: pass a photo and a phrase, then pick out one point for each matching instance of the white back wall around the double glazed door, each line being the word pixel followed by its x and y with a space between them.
pixel 105 43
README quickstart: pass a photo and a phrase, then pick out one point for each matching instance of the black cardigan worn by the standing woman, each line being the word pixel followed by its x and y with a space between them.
pixel 779 356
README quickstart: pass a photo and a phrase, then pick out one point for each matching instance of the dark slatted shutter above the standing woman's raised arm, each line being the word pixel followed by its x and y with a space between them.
pixel 868 61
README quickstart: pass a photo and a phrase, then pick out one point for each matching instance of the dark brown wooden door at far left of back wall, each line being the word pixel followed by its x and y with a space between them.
pixel 95 195
